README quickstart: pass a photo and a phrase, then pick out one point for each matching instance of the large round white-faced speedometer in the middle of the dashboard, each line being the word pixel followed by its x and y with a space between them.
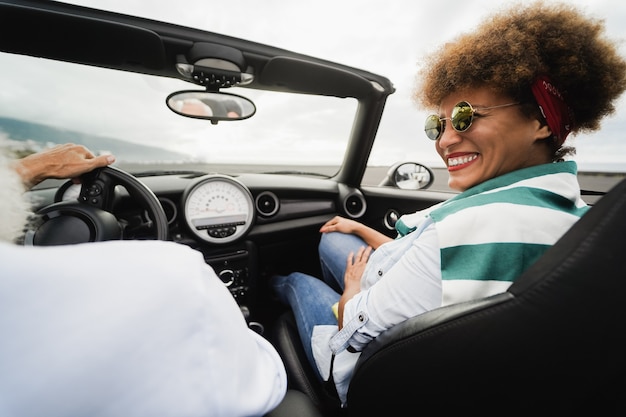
pixel 218 209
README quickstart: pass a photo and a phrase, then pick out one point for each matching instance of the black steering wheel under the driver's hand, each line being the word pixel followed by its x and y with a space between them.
pixel 91 218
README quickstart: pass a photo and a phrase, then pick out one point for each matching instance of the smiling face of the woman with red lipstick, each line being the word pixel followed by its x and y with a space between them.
pixel 499 141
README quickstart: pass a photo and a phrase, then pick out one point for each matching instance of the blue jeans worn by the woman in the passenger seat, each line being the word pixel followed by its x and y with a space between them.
pixel 309 297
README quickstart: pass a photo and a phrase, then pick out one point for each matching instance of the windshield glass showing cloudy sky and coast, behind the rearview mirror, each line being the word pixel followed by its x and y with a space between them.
pixel 126 114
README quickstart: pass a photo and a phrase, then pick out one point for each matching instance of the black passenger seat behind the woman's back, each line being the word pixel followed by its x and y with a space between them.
pixel 553 344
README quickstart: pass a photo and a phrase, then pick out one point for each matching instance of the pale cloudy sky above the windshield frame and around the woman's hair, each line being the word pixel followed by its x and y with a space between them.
pixel 385 37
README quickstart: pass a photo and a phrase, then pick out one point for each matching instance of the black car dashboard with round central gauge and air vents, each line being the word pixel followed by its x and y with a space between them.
pixel 245 225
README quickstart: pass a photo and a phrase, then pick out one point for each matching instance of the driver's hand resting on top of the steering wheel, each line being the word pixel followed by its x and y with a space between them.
pixel 61 161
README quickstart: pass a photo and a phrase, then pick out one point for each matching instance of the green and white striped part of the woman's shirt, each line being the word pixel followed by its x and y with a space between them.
pixel 485 234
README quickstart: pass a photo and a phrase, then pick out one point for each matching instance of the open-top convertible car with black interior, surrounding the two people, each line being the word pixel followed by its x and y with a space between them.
pixel 243 150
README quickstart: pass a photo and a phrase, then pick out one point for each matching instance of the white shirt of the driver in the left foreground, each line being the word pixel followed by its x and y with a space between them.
pixel 127 328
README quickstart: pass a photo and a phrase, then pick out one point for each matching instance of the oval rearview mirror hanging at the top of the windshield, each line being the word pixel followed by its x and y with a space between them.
pixel 213 106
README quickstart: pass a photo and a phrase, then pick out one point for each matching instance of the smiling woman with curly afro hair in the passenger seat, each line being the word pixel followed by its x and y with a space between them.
pixel 504 98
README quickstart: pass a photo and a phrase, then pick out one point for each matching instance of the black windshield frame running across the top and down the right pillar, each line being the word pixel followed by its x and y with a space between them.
pixel 128 43
